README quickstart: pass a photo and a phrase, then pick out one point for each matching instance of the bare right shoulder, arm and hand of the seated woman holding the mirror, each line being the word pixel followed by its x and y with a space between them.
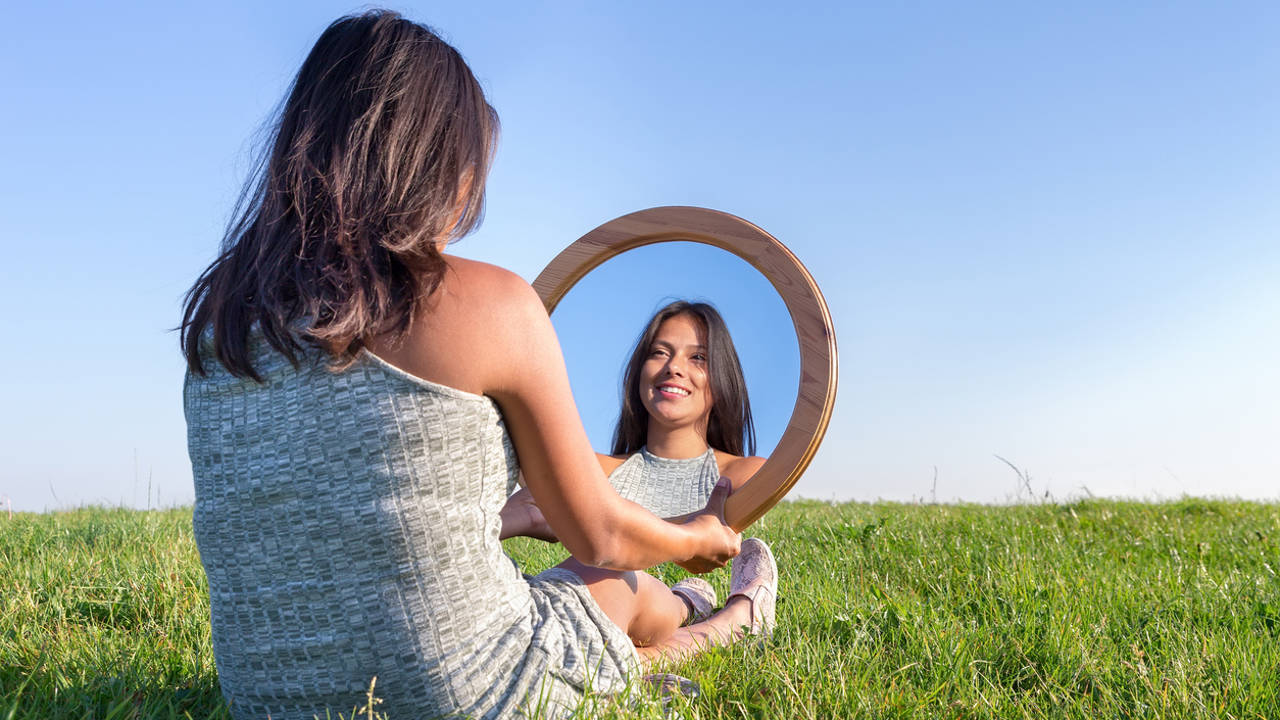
pixel 486 331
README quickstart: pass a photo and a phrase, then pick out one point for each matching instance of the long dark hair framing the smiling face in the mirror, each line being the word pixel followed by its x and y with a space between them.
pixel 730 426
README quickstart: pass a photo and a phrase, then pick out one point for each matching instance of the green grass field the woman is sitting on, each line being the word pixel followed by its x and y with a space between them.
pixel 1094 609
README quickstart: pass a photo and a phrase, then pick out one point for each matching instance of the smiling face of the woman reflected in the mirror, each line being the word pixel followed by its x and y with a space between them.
pixel 674 380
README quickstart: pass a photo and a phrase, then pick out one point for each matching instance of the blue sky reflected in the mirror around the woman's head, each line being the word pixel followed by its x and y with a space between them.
pixel 601 318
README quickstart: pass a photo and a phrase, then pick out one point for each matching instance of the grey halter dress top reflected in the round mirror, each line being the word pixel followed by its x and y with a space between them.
pixel 668 487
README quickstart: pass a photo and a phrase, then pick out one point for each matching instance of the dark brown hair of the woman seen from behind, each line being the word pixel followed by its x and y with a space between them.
pixel 383 136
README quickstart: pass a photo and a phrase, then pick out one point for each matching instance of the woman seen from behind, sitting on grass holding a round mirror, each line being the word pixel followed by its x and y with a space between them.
pixel 354 421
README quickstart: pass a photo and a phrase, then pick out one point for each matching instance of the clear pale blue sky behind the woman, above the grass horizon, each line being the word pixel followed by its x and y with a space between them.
pixel 1045 231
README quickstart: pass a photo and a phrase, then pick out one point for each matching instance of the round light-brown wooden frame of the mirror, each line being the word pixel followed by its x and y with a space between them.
pixel 815 332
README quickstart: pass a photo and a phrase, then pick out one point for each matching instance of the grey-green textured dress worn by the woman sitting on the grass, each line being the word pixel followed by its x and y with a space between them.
pixel 349 526
